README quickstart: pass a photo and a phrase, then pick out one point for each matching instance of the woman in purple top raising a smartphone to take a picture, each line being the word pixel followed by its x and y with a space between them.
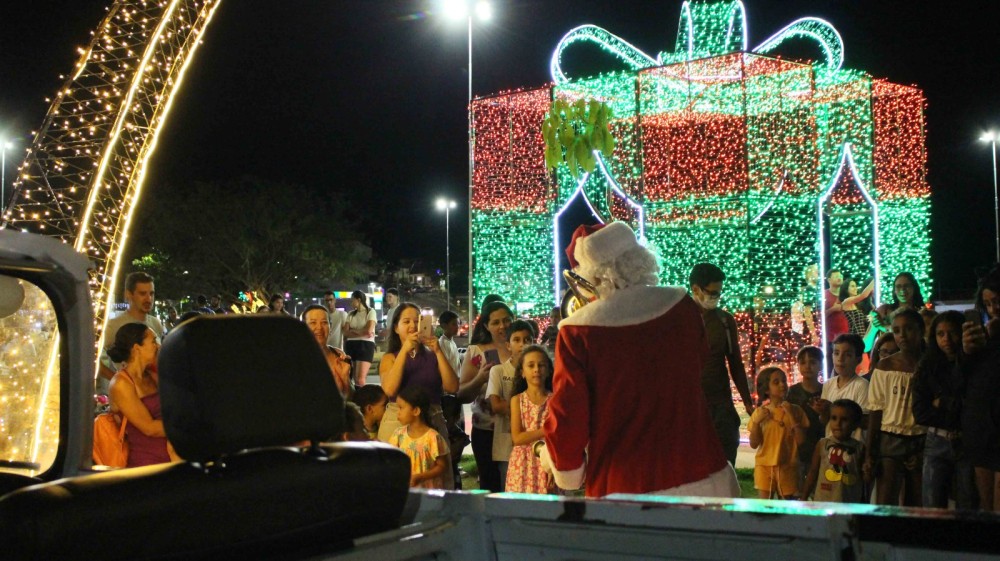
pixel 413 360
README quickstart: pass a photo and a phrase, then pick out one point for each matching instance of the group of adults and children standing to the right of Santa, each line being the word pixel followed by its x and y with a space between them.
pixel 918 427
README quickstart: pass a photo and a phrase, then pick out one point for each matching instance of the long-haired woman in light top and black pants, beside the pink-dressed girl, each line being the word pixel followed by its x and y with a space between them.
pixel 487 348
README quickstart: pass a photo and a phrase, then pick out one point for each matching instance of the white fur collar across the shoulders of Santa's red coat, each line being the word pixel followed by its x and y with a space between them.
pixel 628 306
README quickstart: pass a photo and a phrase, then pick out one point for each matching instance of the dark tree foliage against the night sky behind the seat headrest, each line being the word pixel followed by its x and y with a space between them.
pixel 246 234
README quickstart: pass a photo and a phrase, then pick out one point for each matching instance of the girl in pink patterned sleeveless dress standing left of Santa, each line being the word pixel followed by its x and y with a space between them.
pixel 532 388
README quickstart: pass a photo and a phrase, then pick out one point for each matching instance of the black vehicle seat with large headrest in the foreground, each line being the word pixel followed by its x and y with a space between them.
pixel 237 394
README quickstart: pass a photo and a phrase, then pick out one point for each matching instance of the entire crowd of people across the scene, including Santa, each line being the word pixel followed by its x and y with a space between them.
pixel 907 417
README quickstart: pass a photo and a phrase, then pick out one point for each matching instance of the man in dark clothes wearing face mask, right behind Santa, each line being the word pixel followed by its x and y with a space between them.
pixel 724 360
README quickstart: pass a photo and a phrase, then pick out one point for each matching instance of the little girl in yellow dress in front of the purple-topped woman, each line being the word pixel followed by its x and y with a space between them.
pixel 427 449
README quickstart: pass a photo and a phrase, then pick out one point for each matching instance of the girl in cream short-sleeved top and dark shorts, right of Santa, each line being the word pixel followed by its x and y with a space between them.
pixel 894 439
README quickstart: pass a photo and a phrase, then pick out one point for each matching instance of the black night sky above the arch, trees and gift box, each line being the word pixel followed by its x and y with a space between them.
pixel 368 98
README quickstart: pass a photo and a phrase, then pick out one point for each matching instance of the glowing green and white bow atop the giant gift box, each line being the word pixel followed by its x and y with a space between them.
pixel 706 29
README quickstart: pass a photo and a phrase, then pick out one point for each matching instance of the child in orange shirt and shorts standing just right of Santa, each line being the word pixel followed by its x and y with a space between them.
pixel 777 427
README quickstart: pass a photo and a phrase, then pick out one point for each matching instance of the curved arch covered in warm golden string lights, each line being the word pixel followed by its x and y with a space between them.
pixel 84 171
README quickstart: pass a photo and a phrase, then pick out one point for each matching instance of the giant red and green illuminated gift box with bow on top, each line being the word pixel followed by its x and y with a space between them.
pixel 724 154
